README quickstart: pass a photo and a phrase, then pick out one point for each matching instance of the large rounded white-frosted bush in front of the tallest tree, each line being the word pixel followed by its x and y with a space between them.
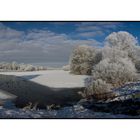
pixel 115 71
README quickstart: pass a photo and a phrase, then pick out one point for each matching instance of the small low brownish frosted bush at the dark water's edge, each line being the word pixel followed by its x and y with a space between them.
pixel 98 89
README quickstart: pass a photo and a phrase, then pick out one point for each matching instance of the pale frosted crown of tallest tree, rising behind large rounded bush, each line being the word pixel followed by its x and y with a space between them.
pixel 122 45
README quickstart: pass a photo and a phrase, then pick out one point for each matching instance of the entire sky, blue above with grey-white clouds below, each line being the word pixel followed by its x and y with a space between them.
pixel 53 41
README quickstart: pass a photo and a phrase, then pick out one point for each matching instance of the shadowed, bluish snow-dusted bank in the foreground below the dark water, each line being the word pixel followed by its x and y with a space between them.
pixel 75 111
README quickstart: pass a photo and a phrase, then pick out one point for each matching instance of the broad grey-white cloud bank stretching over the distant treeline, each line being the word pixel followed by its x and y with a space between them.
pixel 37 45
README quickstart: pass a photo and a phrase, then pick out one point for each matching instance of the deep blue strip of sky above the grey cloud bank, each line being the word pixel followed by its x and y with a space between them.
pixel 73 29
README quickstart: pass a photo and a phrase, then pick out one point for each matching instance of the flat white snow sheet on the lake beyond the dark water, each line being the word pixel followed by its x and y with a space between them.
pixel 52 78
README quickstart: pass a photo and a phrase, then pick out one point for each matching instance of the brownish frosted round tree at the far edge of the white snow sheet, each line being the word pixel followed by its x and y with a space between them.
pixel 82 60
